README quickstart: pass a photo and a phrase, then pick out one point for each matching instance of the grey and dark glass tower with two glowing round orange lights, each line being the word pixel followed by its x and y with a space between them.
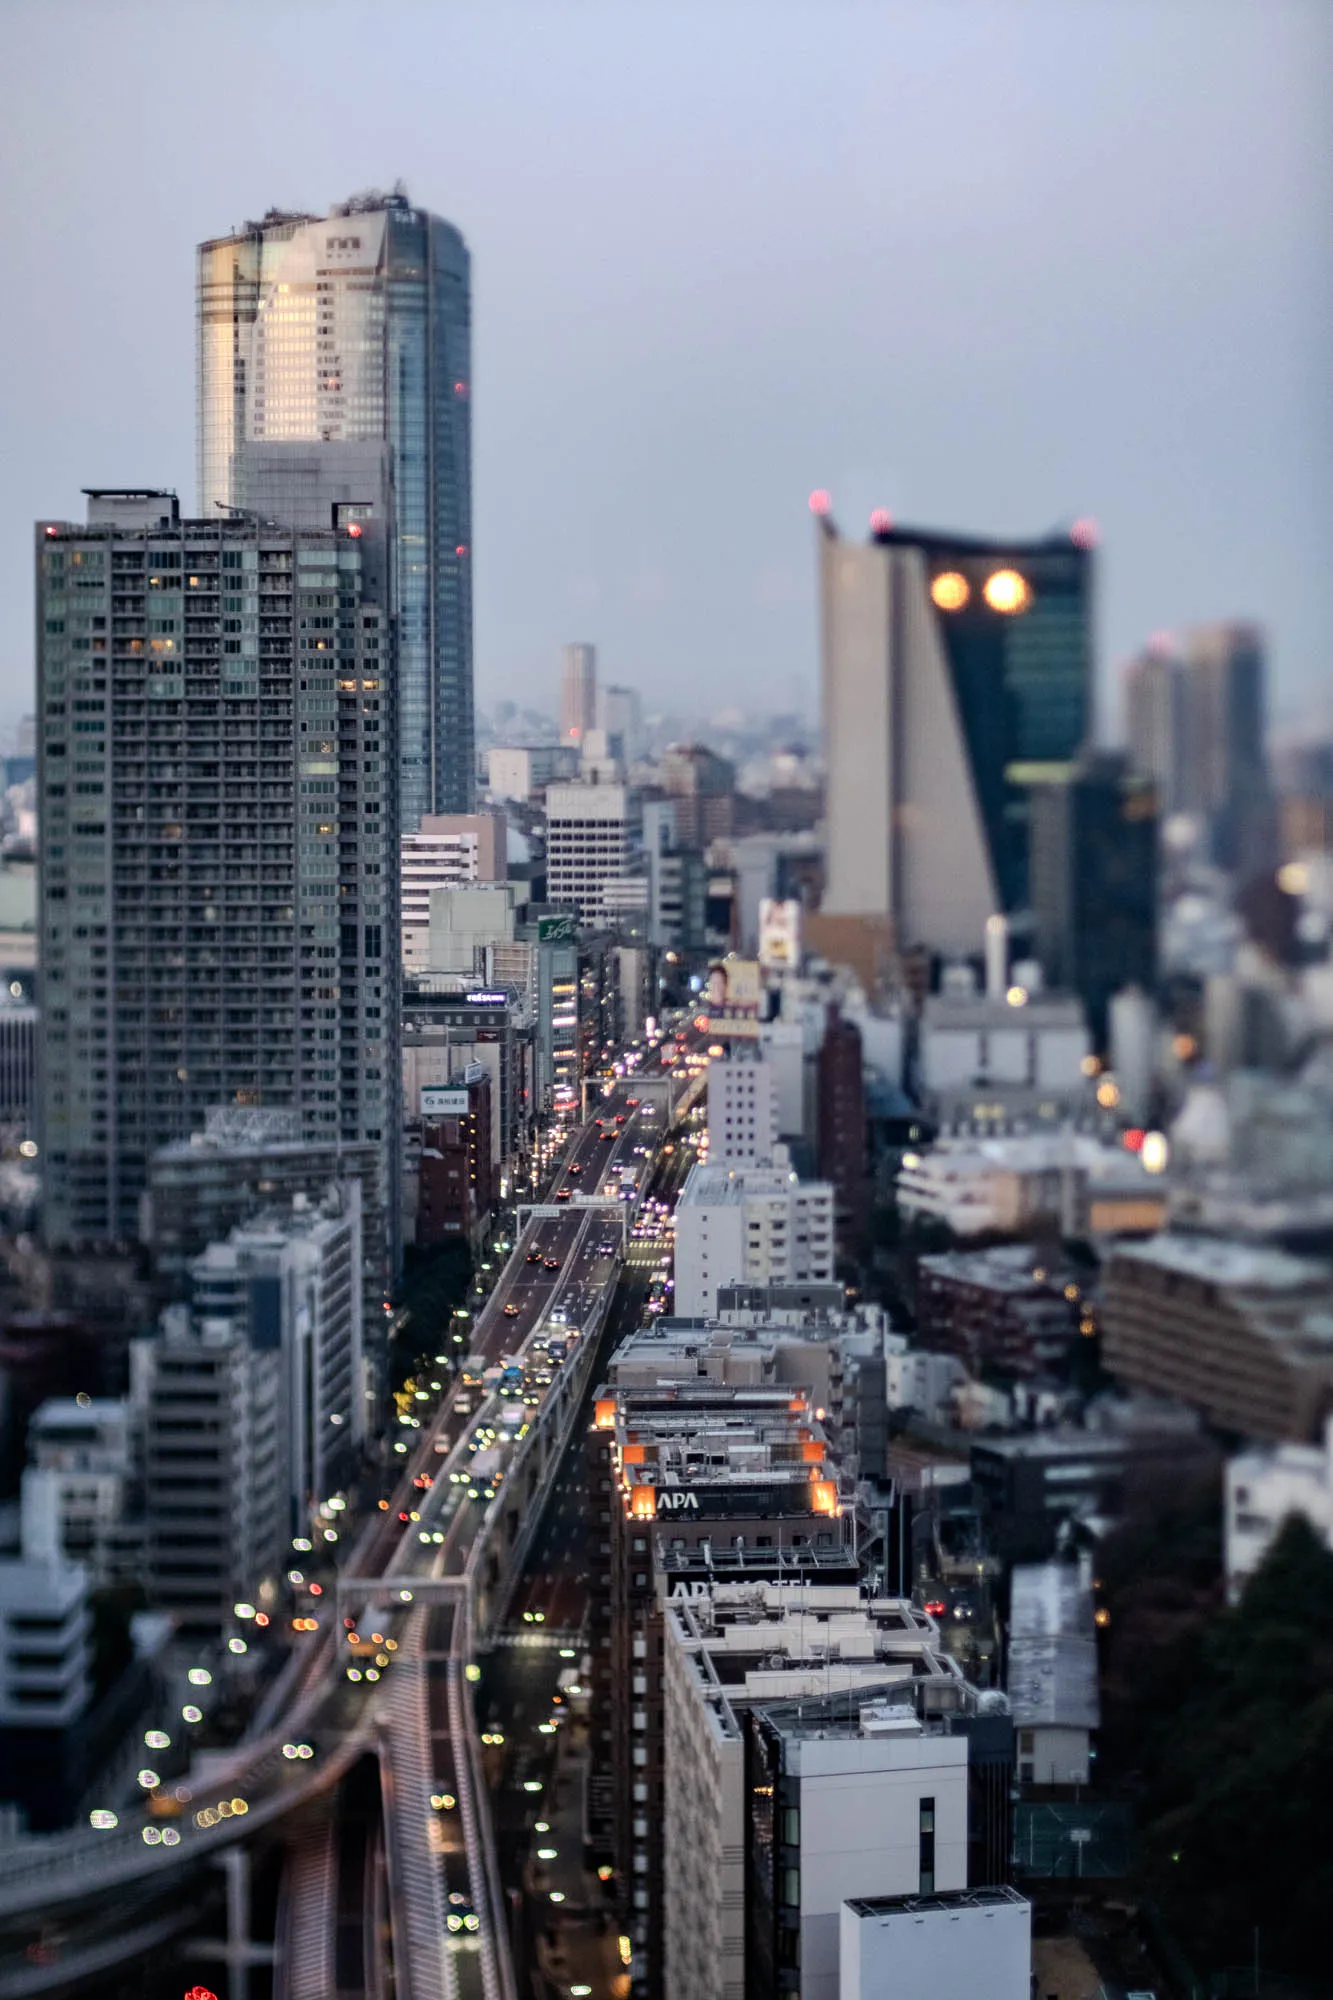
pixel 956 679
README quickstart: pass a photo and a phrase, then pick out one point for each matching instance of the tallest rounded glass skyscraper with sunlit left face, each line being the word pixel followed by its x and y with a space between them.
pixel 355 329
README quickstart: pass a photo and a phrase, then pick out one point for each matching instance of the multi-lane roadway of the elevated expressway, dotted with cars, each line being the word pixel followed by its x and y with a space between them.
pixel 433 1529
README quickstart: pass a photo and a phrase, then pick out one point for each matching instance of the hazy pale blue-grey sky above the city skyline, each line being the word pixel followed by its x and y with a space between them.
pixel 986 265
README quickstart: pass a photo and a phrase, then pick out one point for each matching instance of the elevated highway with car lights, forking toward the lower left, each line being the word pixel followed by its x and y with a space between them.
pixel 433 1567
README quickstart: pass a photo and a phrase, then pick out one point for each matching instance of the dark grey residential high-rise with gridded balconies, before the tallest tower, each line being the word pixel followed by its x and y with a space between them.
pixel 219 903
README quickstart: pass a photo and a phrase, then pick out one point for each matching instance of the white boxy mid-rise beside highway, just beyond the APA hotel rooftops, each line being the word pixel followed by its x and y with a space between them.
pixel 750 1225
